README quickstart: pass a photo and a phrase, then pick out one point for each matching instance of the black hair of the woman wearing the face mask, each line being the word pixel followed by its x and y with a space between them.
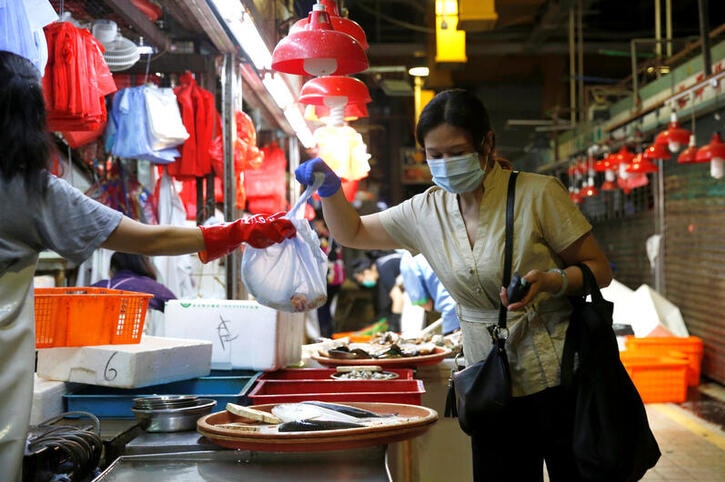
pixel 459 108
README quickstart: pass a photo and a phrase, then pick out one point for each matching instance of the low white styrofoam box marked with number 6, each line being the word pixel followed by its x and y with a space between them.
pixel 152 361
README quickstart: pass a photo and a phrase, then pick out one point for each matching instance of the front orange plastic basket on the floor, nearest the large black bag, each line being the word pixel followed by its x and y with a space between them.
pixel 658 379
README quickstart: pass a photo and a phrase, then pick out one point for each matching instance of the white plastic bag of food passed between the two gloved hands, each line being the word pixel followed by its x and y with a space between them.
pixel 292 275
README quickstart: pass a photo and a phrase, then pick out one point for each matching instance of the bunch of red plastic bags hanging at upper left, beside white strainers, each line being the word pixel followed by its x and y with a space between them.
pixel 76 79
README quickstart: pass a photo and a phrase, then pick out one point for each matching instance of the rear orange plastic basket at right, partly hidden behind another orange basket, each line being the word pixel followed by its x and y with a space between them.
pixel 672 346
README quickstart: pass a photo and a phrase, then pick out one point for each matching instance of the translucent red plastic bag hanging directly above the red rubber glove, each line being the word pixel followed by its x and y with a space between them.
pixel 265 186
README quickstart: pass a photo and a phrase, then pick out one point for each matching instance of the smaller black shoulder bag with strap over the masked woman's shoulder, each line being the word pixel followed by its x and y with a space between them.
pixel 480 392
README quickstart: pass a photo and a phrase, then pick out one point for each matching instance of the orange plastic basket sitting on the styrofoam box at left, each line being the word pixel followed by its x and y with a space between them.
pixel 83 316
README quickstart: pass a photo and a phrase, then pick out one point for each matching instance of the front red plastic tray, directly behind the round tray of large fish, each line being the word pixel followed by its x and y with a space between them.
pixel 286 391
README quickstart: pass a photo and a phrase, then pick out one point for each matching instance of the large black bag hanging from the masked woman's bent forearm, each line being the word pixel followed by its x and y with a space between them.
pixel 612 439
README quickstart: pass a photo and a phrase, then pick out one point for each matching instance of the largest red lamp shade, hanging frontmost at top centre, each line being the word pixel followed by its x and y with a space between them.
pixel 318 49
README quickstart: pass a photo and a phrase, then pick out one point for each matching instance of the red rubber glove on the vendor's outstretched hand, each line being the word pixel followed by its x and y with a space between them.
pixel 258 231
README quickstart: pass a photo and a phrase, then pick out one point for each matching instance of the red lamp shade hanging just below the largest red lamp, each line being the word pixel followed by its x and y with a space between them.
pixel 334 90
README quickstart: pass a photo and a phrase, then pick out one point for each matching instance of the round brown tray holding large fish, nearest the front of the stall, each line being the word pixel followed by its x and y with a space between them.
pixel 417 421
